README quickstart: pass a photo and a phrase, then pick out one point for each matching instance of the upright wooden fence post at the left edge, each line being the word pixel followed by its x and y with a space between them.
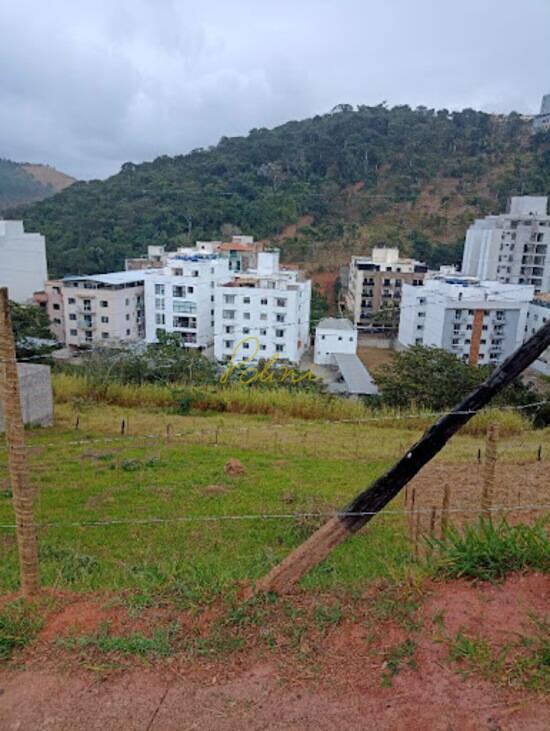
pixel 17 457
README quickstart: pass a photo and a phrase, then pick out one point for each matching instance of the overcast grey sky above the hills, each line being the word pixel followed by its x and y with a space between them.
pixel 87 84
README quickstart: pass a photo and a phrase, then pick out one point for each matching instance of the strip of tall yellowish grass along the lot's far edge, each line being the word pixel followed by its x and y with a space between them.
pixel 279 402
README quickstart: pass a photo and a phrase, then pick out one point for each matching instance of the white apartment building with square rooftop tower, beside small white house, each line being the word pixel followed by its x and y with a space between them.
pixel 263 313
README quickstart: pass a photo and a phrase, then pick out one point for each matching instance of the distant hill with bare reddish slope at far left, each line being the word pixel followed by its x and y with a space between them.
pixel 25 183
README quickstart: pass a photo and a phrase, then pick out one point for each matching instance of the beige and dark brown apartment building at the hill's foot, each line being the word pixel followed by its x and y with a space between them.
pixel 376 282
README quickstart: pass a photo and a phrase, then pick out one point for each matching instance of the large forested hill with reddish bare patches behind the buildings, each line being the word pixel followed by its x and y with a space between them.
pixel 321 188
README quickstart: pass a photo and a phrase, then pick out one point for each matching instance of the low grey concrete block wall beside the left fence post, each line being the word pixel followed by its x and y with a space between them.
pixel 35 387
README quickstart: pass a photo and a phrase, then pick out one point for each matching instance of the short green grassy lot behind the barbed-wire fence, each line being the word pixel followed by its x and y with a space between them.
pixel 153 510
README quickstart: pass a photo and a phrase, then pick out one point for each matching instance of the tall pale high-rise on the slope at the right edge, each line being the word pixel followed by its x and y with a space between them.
pixel 512 248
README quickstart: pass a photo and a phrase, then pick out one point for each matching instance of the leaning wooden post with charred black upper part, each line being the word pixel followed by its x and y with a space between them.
pixel 371 501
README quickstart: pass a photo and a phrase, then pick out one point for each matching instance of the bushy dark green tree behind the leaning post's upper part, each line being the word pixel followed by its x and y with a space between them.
pixel 434 379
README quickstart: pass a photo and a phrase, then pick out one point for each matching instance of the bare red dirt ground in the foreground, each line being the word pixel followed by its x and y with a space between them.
pixel 333 682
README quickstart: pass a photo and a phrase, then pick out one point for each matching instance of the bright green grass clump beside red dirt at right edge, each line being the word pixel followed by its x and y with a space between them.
pixel 489 551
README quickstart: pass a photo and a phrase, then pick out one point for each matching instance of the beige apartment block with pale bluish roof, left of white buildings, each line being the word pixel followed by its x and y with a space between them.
pixel 104 309
